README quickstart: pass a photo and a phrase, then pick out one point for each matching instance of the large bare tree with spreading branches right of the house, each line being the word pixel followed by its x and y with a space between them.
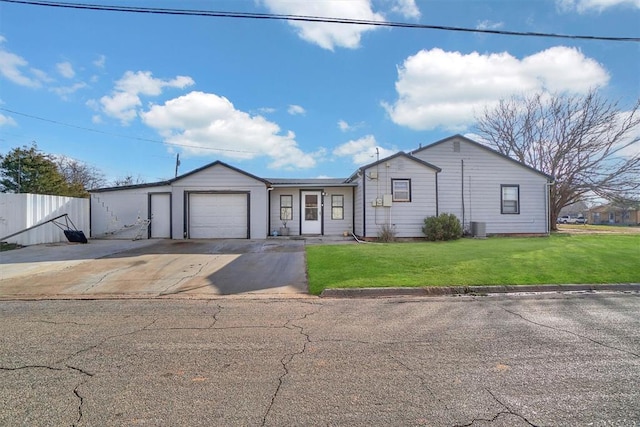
pixel 585 142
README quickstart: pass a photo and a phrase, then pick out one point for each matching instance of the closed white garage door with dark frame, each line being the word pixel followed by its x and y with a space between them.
pixel 218 216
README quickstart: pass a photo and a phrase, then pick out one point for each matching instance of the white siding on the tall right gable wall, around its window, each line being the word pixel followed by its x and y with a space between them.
pixel 469 187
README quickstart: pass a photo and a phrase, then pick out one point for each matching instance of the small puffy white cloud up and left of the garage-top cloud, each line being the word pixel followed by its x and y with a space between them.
pixel 125 100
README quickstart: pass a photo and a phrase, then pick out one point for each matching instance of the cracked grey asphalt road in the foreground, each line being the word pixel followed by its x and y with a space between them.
pixel 517 360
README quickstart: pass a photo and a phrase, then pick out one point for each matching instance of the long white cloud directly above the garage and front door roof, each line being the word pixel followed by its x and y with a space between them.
pixel 210 124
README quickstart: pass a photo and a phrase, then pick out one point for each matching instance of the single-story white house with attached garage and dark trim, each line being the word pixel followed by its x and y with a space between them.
pixel 455 175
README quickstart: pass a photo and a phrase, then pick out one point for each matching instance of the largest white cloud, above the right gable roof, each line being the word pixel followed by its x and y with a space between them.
pixel 446 89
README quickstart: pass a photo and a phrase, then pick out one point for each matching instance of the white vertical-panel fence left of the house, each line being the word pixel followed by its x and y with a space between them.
pixel 21 211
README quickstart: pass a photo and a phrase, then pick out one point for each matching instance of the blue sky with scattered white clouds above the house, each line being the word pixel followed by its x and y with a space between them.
pixel 125 93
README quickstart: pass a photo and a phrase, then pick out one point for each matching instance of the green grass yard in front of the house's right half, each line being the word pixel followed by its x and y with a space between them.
pixel 559 259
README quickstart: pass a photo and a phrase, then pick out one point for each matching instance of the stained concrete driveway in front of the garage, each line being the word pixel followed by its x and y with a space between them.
pixel 154 268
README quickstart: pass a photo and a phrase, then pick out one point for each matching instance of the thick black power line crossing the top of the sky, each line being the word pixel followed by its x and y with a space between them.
pixel 303 18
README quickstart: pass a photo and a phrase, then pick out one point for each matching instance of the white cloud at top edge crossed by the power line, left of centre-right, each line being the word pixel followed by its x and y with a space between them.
pixel 328 35
